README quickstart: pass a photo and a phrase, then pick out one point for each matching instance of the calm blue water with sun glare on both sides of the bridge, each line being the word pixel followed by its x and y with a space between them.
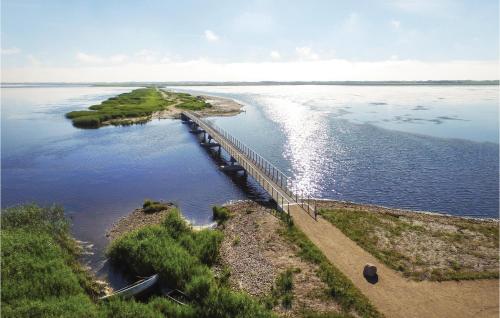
pixel 425 148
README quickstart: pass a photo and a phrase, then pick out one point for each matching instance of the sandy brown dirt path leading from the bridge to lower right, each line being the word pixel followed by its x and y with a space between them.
pixel 394 295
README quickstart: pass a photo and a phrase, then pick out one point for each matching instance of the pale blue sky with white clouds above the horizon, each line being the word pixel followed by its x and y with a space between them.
pixel 250 40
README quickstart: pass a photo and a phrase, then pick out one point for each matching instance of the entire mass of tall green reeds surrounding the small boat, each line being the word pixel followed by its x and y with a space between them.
pixel 41 276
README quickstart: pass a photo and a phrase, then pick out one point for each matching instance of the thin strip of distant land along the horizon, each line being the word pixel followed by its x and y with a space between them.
pixel 199 83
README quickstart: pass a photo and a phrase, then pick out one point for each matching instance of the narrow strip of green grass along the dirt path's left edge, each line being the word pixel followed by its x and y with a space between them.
pixel 339 286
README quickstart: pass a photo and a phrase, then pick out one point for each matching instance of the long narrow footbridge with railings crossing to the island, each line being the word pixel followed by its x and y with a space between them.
pixel 243 158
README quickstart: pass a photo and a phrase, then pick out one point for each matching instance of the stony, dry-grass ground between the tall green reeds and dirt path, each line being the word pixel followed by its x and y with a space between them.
pixel 263 255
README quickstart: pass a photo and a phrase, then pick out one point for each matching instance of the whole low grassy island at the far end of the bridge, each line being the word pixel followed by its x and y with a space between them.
pixel 134 107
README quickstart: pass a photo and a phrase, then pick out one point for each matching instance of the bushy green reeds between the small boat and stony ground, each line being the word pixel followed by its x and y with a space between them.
pixel 182 258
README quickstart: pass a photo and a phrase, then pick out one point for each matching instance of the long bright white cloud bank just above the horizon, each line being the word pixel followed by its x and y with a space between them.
pixel 204 70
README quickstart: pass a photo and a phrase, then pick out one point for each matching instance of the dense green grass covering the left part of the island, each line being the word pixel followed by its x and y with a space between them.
pixel 141 102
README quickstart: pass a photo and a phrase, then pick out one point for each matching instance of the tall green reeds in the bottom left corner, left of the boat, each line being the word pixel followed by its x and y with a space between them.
pixel 41 276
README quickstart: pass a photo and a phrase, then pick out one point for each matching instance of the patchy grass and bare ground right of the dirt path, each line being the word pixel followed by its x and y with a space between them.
pixel 415 258
